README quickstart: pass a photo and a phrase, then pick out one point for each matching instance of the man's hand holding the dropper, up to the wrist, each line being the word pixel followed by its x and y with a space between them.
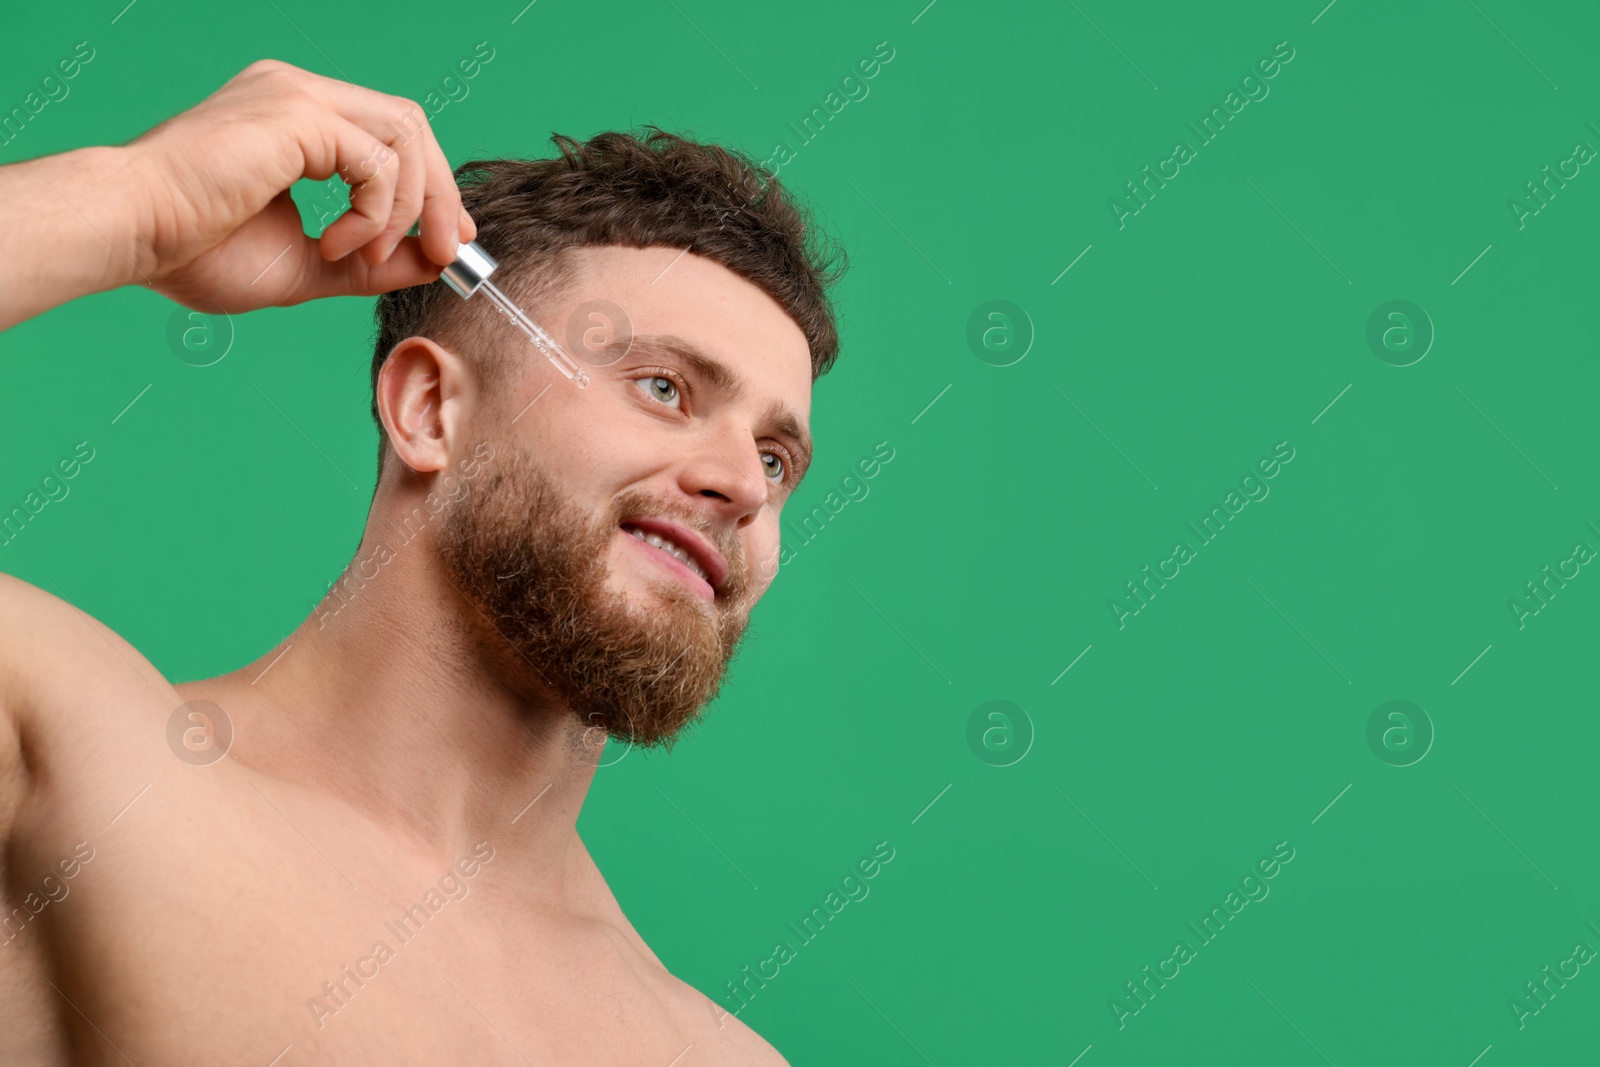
pixel 217 230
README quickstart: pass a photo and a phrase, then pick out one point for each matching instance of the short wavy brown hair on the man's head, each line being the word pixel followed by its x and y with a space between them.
pixel 622 190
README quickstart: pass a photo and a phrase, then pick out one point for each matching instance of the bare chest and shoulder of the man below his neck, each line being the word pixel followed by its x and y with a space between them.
pixel 217 922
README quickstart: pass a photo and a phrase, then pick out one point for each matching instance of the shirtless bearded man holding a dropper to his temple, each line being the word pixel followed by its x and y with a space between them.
pixel 362 849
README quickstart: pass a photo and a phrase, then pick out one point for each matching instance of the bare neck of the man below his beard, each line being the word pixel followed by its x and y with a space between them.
pixel 396 701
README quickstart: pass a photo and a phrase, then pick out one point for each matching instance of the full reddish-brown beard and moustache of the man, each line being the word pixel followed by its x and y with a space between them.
pixel 535 567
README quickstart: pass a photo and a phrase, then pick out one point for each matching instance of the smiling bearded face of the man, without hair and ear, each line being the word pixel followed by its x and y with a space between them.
pixel 554 540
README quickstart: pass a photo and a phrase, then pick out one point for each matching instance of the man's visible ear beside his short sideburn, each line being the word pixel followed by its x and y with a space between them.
pixel 425 396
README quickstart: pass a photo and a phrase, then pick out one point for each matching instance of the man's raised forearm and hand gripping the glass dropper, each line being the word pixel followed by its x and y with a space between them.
pixel 198 209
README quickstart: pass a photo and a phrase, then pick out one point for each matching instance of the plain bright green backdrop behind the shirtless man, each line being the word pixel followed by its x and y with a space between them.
pixel 1228 716
